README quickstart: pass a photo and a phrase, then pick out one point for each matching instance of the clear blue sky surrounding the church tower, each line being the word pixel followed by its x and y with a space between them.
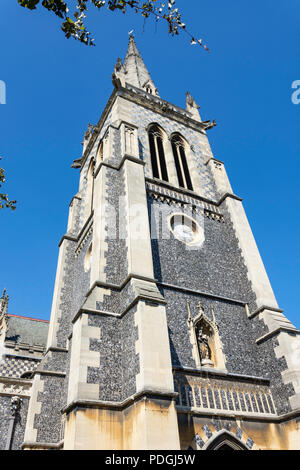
pixel 56 86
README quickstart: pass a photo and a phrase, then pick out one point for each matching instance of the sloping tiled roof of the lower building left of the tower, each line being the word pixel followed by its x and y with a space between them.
pixel 26 330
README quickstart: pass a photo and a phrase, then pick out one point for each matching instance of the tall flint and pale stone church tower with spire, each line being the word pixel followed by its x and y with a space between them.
pixel 164 332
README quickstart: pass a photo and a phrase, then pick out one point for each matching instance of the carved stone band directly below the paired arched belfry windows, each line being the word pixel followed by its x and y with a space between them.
pixel 172 196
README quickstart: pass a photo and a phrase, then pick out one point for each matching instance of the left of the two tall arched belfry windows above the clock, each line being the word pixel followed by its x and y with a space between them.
pixel 158 161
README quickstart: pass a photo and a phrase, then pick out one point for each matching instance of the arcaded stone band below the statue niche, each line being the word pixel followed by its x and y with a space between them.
pixel 223 396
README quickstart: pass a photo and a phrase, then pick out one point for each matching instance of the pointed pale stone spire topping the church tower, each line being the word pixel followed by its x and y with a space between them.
pixel 136 72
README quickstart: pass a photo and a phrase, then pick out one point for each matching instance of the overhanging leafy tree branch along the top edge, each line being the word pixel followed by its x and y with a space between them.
pixel 75 26
